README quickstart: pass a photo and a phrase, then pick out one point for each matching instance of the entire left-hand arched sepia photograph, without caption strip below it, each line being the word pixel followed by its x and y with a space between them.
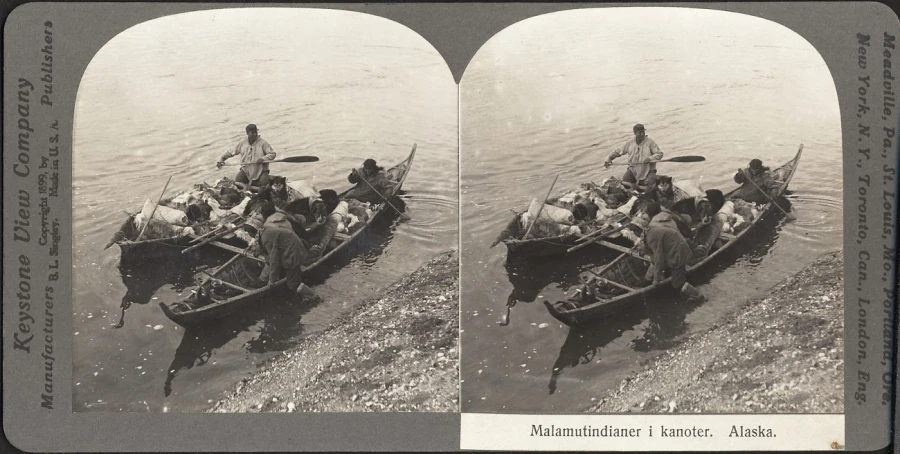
pixel 265 217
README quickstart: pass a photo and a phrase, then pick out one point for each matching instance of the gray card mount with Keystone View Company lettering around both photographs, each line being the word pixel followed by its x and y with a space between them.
pixel 456 31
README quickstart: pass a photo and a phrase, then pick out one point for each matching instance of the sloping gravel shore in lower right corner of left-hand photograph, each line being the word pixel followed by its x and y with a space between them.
pixel 397 352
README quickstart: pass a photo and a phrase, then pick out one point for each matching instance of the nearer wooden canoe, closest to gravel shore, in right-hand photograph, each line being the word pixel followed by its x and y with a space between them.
pixel 588 306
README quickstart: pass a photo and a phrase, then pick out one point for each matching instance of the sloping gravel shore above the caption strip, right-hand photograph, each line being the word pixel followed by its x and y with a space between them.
pixel 783 353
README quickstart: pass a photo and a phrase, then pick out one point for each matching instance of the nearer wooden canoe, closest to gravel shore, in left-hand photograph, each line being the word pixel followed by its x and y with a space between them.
pixel 239 273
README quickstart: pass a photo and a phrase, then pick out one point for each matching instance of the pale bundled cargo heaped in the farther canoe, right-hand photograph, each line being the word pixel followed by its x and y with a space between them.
pixel 583 214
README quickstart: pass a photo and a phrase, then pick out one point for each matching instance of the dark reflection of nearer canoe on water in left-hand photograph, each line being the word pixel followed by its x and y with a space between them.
pixel 279 316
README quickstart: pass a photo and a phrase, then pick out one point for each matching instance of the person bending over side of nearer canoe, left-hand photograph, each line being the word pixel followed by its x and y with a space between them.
pixel 284 251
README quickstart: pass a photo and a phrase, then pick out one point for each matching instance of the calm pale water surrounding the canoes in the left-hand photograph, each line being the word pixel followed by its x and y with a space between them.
pixel 166 98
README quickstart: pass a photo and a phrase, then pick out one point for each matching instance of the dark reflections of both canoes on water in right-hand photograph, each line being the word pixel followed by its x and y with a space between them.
pixel 665 313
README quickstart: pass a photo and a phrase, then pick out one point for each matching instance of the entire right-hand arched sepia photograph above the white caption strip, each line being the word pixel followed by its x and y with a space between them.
pixel 651 217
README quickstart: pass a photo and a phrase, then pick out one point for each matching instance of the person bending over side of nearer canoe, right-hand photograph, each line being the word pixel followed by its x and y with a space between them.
pixel 669 252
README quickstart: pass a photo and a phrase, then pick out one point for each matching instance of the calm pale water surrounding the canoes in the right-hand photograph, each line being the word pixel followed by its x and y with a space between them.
pixel 554 95
